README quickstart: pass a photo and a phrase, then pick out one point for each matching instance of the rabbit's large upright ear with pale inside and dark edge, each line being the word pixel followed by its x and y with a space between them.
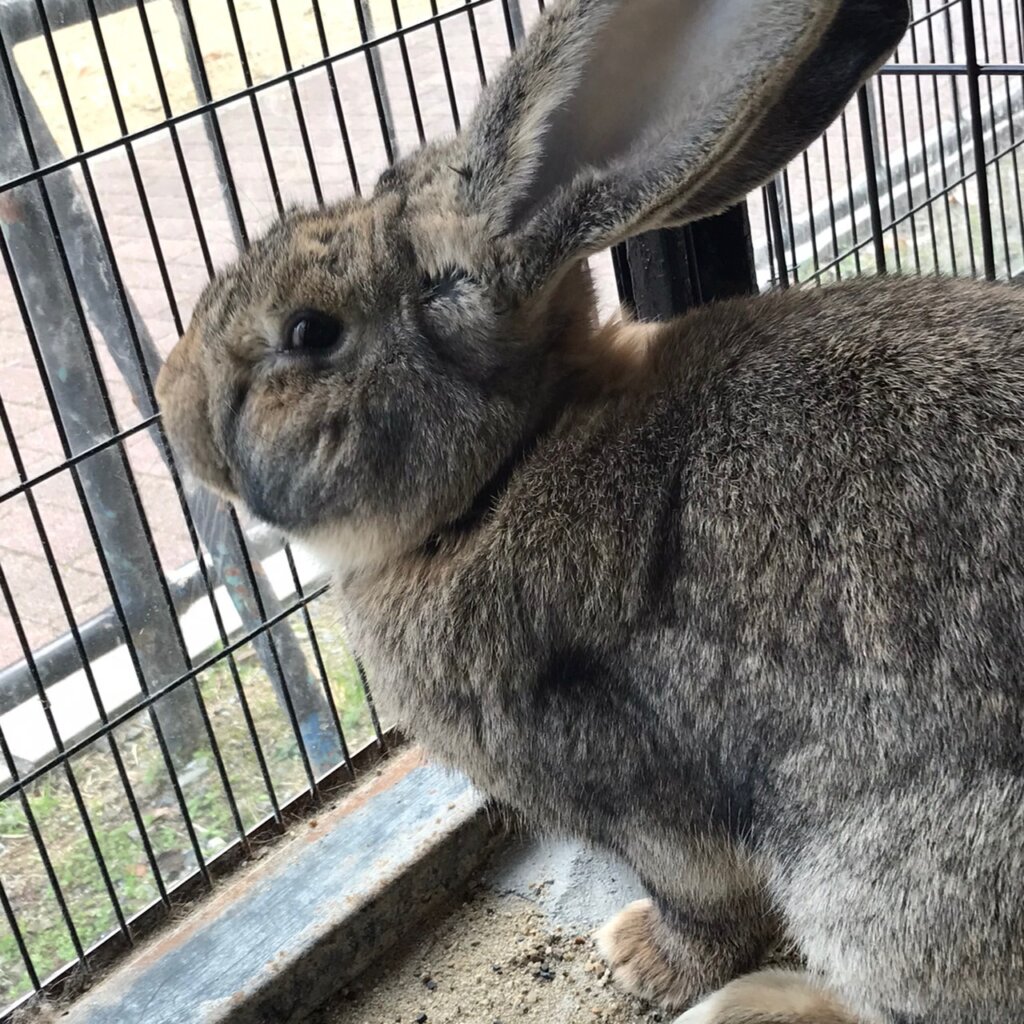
pixel 620 116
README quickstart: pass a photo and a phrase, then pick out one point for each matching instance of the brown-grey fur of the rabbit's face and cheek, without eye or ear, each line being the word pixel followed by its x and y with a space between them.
pixel 364 450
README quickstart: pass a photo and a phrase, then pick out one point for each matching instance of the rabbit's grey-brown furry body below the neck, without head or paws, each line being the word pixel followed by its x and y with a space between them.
pixel 755 626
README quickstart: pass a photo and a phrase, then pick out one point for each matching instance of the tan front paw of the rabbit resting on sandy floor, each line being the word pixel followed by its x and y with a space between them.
pixel 633 945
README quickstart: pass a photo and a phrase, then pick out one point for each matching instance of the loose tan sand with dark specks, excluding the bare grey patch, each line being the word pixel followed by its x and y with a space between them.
pixel 494 961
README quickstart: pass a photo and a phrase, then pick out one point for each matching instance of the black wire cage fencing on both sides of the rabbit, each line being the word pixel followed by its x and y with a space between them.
pixel 173 681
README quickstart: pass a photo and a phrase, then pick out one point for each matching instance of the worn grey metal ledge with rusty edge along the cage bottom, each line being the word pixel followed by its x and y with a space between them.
pixel 280 942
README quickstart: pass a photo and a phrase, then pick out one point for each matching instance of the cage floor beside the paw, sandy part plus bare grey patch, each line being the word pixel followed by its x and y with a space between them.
pixel 520 949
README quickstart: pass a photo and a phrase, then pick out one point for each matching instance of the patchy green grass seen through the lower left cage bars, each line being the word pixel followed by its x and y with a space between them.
pixel 52 804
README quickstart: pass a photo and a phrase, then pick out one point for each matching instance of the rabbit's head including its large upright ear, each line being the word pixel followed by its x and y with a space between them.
pixel 364 371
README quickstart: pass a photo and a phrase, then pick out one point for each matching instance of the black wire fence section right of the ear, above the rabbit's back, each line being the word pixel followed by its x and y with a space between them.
pixel 894 186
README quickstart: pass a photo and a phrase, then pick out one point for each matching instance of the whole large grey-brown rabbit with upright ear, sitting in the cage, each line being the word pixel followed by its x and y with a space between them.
pixel 737 596
